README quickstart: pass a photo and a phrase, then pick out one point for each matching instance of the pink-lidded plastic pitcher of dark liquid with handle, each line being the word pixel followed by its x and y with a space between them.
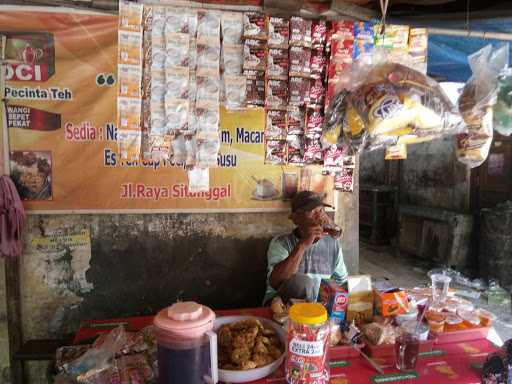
pixel 187 345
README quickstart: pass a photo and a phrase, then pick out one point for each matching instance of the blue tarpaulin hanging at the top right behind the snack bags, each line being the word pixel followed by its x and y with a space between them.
pixel 447 55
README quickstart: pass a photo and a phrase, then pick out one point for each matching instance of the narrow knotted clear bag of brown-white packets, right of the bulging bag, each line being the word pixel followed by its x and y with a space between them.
pixel 475 104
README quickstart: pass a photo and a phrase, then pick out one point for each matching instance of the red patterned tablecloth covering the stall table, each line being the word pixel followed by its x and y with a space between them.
pixel 456 363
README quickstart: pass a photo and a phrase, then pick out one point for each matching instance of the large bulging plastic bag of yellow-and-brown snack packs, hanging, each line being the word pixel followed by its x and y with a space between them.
pixel 383 100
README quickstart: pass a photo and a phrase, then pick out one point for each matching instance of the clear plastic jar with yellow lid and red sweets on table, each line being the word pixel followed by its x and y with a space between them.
pixel 308 345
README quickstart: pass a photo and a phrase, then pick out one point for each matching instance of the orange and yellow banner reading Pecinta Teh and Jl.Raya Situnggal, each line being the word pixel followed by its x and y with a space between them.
pixel 61 113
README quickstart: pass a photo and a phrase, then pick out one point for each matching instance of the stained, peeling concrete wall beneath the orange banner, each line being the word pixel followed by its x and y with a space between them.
pixel 138 264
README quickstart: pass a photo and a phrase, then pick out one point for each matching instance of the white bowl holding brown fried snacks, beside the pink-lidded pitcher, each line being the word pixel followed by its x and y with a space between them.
pixel 250 374
